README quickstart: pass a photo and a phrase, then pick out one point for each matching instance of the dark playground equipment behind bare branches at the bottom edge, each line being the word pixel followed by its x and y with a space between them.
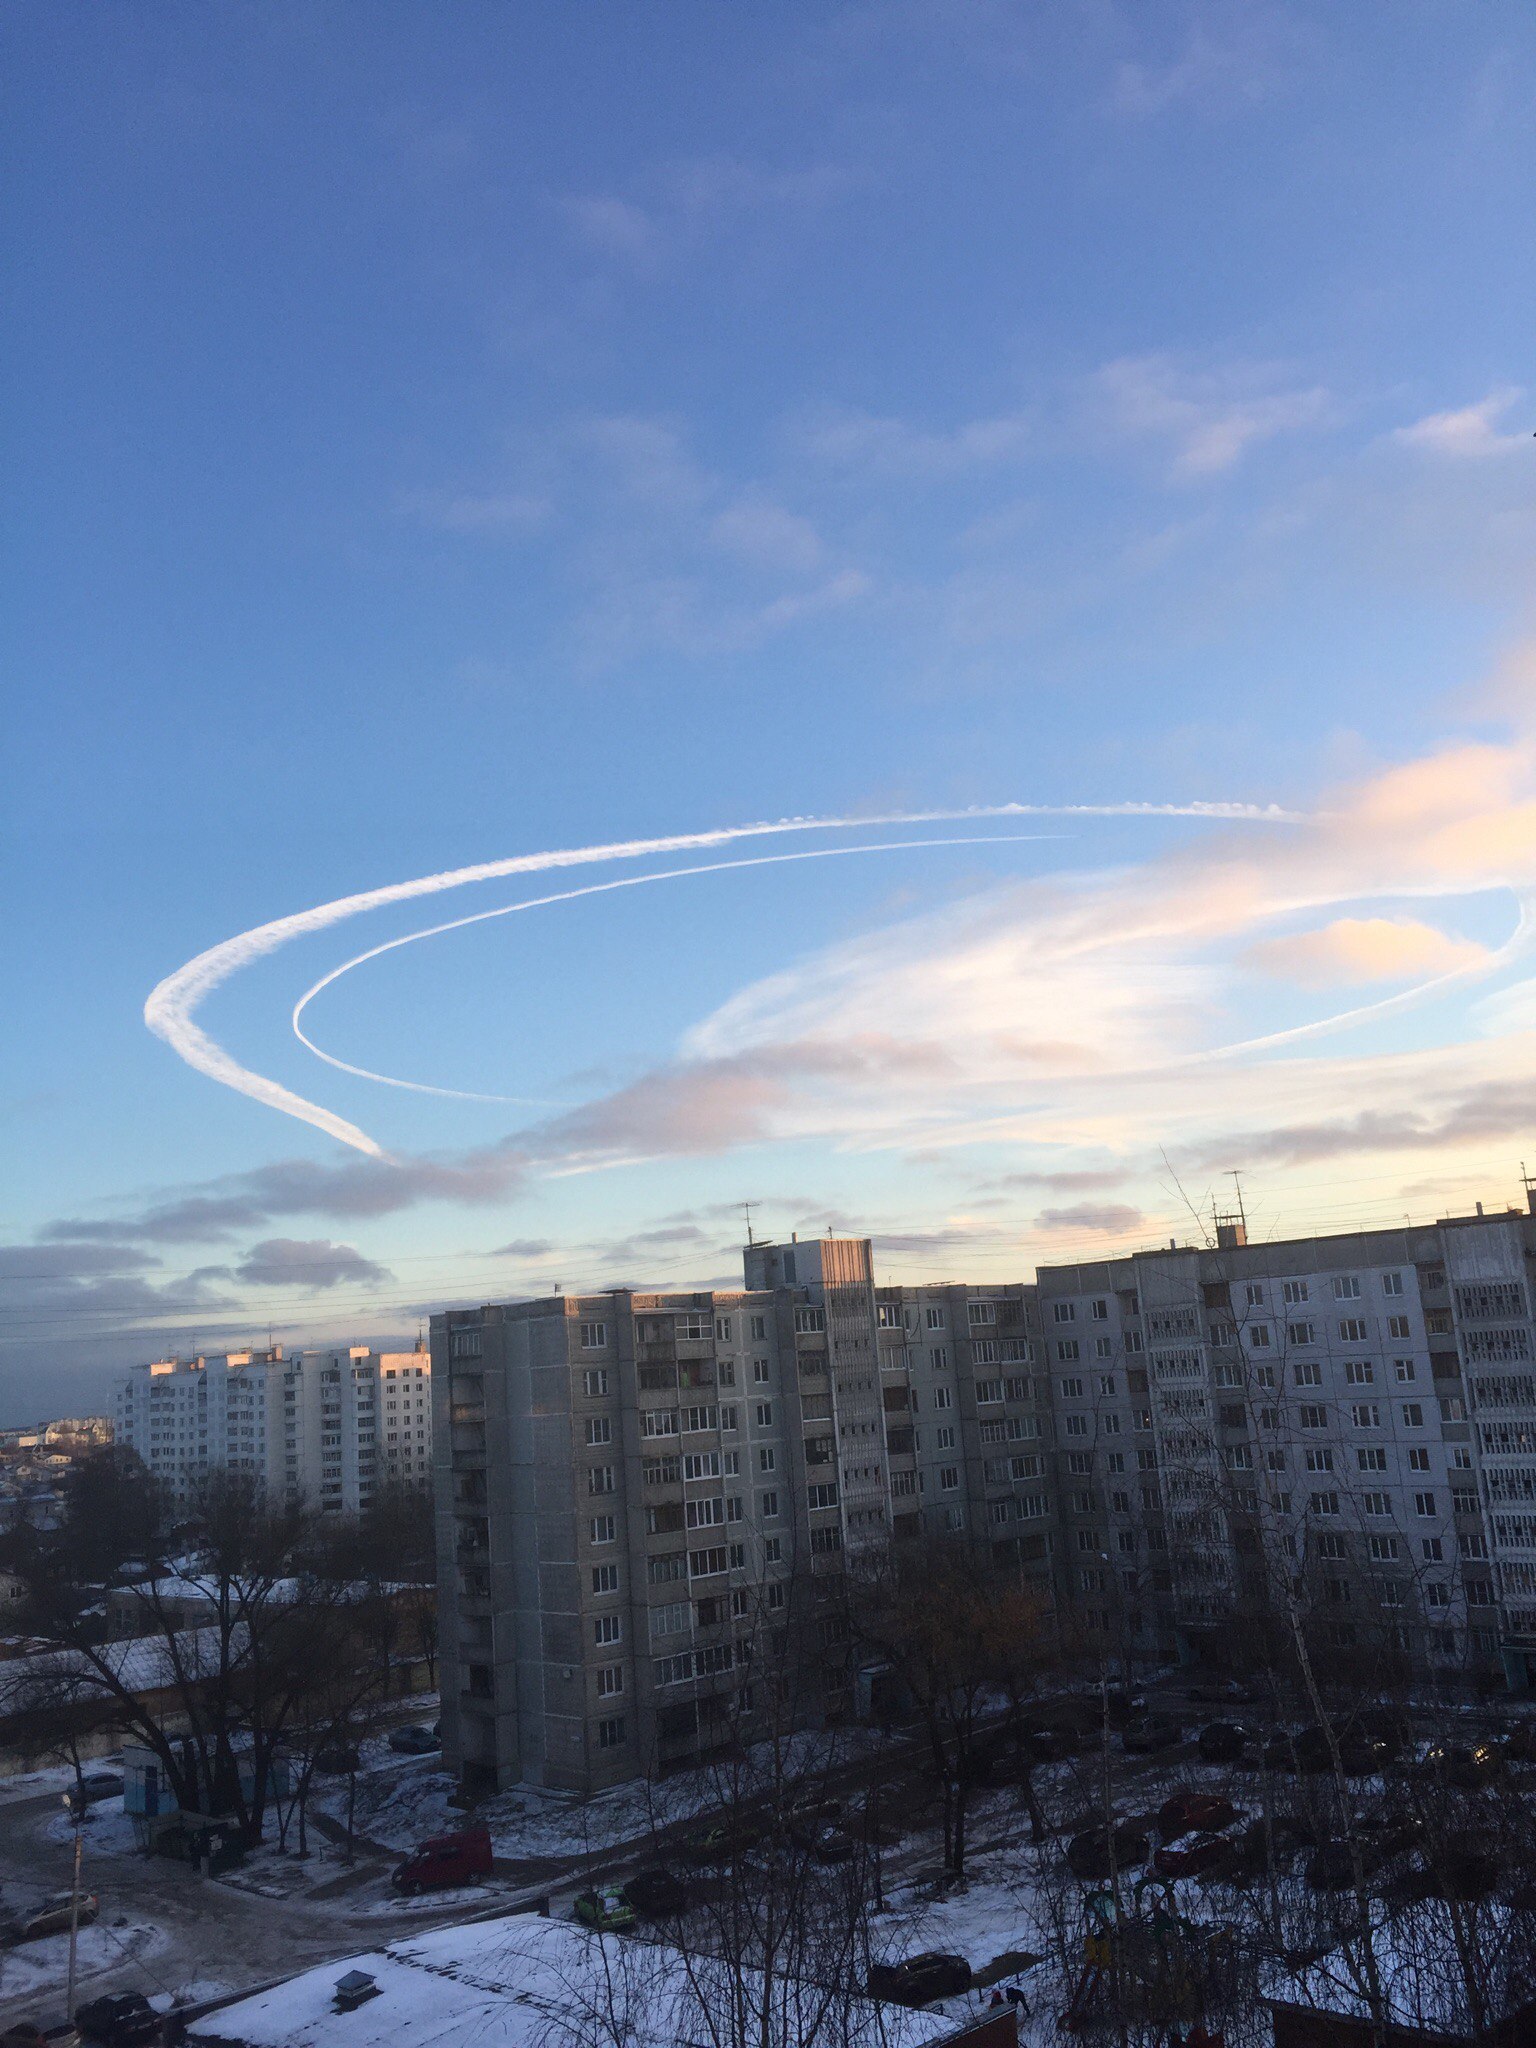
pixel 1148 1959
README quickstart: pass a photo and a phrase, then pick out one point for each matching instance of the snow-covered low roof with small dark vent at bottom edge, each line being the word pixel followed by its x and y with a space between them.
pixel 534 1983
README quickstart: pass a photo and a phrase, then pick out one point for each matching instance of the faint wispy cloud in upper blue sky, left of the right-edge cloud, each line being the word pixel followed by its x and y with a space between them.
pixel 1209 419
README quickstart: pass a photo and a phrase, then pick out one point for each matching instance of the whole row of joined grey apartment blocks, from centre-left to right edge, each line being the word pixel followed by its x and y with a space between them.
pixel 642 1494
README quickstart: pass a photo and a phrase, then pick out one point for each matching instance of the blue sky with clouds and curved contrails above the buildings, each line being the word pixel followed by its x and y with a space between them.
pixel 1076 462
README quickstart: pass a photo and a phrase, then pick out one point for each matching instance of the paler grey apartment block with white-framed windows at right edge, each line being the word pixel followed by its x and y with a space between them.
pixel 1361 1404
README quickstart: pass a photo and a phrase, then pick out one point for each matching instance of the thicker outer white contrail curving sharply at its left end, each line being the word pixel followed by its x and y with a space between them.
pixel 173 1005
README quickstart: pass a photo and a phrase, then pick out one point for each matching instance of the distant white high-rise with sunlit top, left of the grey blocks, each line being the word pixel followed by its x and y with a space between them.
pixel 325 1428
